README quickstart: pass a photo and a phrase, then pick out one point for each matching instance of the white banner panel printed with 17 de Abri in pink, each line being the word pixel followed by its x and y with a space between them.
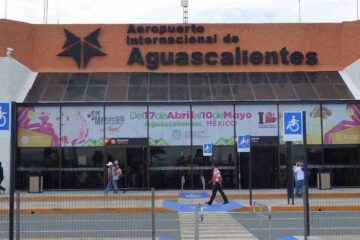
pixel 169 125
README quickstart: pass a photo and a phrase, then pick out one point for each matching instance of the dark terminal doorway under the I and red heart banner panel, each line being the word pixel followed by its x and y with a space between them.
pixel 264 167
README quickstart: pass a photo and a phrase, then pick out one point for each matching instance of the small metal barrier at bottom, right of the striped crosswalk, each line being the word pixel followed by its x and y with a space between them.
pixel 264 213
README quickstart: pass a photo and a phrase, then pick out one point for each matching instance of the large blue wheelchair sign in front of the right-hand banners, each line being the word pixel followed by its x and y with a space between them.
pixel 293 126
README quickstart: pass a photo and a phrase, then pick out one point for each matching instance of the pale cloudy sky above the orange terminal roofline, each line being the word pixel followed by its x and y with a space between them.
pixel 169 11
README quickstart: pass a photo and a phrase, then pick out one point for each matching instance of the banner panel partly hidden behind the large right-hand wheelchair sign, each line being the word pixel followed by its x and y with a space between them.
pixel 313 122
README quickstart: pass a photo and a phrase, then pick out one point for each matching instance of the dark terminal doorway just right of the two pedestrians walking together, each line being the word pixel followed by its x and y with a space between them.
pixel 132 162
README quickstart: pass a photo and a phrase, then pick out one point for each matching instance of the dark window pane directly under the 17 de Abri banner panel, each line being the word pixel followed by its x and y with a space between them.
pixel 170 156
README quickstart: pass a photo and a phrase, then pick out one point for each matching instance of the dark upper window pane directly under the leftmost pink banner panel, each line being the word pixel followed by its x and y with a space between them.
pixel 39 157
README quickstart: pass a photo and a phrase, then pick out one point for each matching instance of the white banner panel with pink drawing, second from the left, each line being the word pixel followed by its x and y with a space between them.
pixel 82 126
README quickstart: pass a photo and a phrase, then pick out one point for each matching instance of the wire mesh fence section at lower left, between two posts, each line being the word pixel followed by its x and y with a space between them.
pixel 85 215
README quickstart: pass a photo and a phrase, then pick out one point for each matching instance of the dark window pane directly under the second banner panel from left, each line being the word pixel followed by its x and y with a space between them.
pixel 82 157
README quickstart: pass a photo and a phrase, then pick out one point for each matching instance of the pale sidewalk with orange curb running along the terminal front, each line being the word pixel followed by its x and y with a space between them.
pixel 140 201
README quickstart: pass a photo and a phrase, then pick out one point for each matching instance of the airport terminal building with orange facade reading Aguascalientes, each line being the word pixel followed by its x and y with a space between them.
pixel 150 96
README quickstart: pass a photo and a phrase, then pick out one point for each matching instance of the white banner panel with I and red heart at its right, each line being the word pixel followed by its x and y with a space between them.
pixel 256 120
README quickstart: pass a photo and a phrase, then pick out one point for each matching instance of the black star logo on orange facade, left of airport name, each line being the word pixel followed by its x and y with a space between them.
pixel 81 50
